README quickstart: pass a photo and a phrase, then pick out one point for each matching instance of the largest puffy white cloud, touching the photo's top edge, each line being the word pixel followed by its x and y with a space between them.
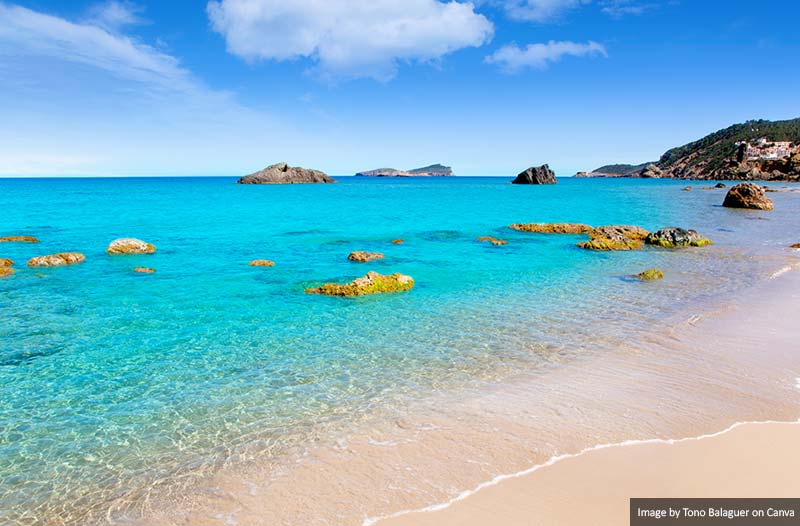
pixel 348 38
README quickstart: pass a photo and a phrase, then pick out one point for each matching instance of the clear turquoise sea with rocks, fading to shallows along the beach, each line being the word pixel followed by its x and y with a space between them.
pixel 112 380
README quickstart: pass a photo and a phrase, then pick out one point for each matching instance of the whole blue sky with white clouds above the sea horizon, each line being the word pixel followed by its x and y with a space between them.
pixel 227 87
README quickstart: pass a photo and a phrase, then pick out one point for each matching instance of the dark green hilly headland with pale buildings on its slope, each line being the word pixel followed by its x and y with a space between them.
pixel 753 150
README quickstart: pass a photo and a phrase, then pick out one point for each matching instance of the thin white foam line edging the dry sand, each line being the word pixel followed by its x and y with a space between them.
pixel 369 521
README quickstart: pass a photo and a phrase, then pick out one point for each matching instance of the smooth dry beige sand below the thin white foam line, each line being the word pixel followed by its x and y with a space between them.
pixel 748 460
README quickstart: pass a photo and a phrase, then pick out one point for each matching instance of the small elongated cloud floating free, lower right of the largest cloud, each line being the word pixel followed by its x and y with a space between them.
pixel 512 58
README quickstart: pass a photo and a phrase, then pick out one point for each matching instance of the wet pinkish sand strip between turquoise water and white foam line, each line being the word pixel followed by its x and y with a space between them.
pixel 425 460
